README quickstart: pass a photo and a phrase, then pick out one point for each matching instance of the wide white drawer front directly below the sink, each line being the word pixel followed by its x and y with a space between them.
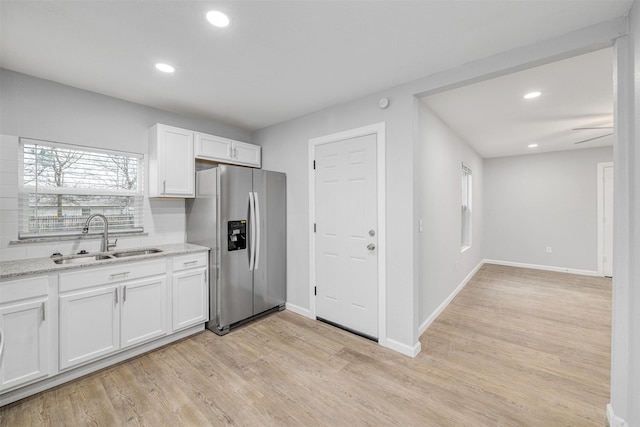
pixel 111 274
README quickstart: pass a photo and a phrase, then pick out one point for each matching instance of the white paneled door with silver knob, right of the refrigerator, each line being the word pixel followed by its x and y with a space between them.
pixel 346 258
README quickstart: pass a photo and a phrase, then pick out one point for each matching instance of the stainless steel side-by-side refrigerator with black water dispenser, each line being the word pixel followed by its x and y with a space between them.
pixel 240 214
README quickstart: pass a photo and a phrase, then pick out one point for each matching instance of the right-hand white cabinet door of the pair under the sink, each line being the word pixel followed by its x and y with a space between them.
pixel 143 310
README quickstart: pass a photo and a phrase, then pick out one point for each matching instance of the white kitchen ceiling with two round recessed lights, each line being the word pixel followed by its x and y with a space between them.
pixel 278 59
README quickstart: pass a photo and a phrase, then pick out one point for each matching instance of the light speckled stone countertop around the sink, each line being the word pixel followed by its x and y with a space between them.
pixel 34 266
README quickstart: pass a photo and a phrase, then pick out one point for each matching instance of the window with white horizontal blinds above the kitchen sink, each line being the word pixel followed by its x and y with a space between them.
pixel 61 185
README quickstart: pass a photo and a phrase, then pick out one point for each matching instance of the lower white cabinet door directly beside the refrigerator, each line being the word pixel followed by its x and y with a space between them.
pixel 190 298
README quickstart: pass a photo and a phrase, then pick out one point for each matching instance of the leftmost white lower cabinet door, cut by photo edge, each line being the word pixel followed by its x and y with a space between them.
pixel 26 345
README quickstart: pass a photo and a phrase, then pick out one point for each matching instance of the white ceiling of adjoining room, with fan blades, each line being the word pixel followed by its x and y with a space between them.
pixel 497 121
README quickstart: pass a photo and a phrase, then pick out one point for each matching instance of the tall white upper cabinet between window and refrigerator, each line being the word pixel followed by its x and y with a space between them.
pixel 171 164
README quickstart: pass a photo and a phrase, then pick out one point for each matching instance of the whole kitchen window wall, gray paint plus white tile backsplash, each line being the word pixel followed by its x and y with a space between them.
pixel 41 109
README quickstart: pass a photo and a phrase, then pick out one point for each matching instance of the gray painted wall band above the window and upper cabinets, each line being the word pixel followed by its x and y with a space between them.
pixel 37 108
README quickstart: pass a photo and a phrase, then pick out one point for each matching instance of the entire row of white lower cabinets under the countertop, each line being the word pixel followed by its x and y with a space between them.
pixel 80 318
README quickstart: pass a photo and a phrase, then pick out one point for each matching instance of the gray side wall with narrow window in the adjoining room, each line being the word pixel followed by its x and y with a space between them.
pixel 442 267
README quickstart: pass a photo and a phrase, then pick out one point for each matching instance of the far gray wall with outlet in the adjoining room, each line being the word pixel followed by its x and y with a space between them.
pixel 541 200
